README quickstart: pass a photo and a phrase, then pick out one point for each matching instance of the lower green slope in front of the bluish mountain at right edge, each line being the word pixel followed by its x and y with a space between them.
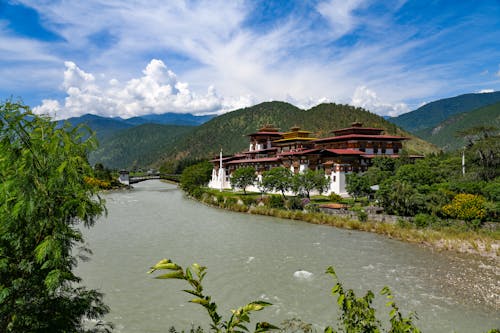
pixel 444 134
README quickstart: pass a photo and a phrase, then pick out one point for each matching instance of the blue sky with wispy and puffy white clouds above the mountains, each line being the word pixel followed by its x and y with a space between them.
pixel 121 58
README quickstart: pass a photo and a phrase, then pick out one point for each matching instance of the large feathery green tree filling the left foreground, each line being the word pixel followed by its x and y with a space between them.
pixel 44 198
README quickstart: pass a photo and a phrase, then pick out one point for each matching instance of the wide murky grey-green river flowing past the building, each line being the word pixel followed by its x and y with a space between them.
pixel 253 257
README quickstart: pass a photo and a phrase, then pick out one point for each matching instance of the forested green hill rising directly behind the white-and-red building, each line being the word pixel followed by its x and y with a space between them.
pixel 229 130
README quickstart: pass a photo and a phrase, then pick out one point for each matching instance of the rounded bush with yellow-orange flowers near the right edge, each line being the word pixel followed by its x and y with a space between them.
pixel 466 207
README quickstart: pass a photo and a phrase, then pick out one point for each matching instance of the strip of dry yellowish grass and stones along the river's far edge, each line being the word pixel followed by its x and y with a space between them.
pixel 483 242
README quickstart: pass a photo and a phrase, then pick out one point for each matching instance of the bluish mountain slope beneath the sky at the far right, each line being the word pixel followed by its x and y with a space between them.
pixel 432 114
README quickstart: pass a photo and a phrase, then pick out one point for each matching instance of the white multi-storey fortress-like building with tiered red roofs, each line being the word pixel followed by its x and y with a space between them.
pixel 348 150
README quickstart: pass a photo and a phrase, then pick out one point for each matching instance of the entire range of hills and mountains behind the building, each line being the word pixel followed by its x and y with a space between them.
pixel 153 140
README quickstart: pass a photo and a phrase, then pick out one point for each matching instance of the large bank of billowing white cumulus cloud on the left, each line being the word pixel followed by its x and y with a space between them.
pixel 157 91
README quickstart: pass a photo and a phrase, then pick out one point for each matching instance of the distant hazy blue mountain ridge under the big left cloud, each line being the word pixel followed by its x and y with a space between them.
pixel 184 119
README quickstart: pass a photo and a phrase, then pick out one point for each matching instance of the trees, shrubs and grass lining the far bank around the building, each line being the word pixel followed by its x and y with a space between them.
pixel 436 203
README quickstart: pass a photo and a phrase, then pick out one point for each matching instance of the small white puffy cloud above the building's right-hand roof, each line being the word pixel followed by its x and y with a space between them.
pixel 368 99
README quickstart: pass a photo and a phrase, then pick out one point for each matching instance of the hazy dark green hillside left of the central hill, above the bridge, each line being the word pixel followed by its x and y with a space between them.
pixel 138 146
